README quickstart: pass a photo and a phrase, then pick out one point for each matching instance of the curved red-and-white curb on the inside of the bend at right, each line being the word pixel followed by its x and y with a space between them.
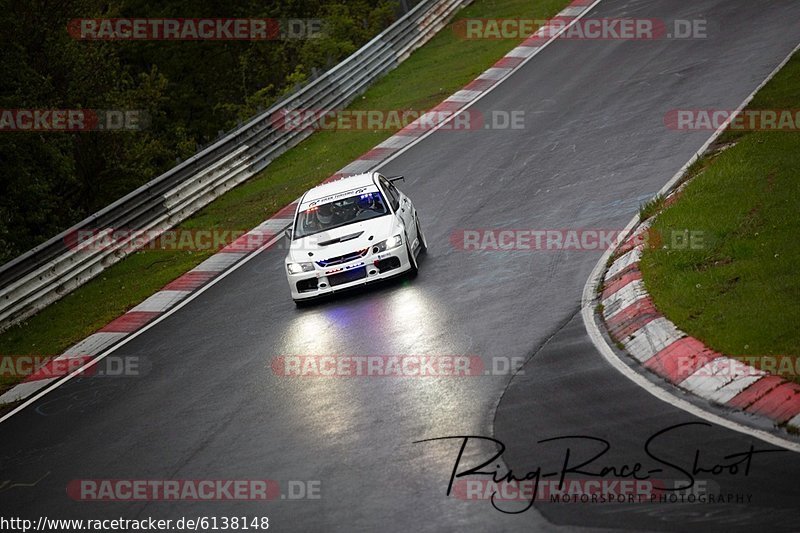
pixel 633 321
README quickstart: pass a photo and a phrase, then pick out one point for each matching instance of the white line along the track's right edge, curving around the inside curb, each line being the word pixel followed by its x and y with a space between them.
pixel 587 311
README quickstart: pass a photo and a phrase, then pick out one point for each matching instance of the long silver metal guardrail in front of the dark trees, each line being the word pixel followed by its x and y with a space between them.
pixel 57 267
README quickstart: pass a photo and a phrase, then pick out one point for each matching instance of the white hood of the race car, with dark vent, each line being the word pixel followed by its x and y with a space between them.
pixel 343 240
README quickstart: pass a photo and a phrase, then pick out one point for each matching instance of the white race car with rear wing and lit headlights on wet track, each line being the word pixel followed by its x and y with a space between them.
pixel 350 232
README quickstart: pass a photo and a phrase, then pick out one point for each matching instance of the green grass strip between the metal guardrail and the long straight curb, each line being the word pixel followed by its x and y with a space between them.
pixel 432 73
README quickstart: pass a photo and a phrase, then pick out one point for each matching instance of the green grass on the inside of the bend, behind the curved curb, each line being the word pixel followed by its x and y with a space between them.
pixel 737 288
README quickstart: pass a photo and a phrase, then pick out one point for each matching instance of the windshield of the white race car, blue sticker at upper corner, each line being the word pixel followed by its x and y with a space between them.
pixel 339 213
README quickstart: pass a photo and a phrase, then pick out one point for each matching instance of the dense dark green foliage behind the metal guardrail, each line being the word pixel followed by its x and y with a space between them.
pixel 192 91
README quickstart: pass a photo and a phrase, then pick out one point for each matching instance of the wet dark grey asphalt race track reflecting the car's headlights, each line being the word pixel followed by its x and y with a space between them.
pixel 593 148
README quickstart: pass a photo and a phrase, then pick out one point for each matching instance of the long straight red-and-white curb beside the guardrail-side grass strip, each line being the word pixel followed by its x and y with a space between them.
pixel 256 240
